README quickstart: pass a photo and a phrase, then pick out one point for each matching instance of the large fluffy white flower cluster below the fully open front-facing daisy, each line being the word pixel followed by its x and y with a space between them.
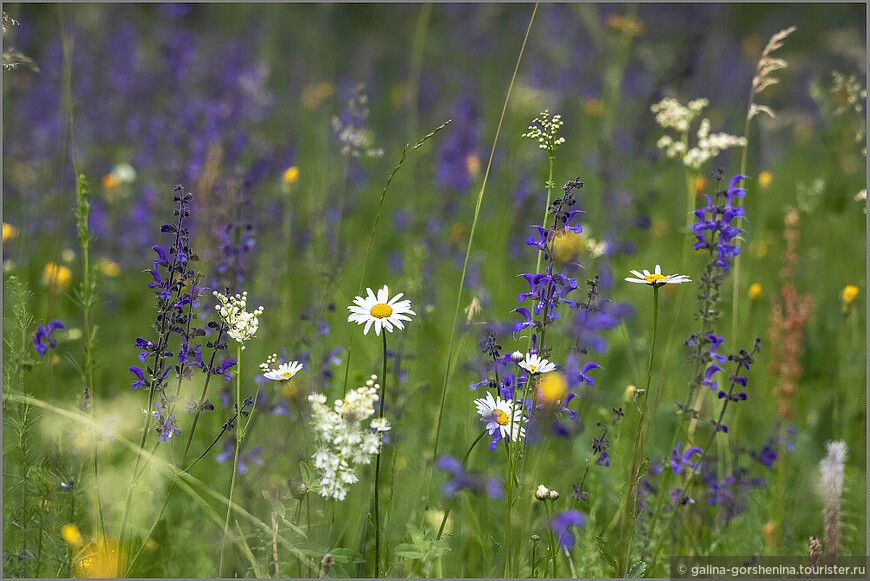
pixel 343 442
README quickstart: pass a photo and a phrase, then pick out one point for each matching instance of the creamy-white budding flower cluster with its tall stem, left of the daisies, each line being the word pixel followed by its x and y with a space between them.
pixel 242 326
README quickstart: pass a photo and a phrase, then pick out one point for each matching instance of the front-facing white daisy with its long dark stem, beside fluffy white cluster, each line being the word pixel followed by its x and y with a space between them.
pixel 384 313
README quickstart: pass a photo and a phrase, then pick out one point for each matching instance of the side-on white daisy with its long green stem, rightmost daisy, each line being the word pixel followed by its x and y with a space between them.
pixel 655 280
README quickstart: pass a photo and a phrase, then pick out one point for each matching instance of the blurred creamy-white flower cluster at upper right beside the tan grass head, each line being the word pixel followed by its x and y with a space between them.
pixel 670 114
